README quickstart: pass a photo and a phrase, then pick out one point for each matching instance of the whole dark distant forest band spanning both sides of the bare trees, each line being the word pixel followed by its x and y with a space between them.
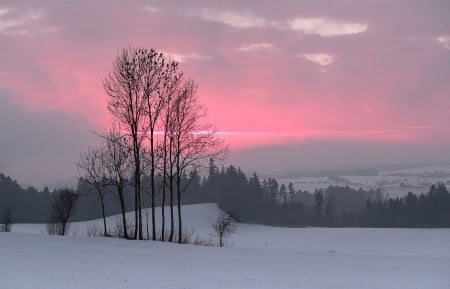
pixel 251 200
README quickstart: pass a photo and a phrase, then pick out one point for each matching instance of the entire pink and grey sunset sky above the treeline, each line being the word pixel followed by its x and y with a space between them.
pixel 292 84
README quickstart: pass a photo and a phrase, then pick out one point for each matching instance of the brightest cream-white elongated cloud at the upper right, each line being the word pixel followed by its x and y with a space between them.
pixel 327 27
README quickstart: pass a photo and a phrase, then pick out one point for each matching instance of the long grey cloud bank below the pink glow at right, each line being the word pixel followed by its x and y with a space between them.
pixel 315 155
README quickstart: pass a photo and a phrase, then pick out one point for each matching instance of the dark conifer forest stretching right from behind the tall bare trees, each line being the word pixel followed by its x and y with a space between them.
pixel 266 202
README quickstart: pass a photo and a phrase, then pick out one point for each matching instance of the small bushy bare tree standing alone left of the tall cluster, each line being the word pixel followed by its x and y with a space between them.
pixel 63 208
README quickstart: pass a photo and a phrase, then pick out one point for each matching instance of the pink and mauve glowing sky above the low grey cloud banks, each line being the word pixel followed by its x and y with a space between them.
pixel 245 61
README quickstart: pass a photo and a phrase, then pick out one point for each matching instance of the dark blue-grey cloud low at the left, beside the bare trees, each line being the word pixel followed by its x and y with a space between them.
pixel 38 147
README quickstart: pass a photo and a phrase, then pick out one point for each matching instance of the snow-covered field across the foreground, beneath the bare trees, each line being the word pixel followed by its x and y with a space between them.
pixel 257 257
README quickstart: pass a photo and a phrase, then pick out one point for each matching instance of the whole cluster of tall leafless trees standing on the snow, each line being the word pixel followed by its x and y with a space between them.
pixel 158 130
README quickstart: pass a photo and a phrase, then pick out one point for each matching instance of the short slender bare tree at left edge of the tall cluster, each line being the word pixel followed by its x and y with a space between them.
pixel 92 168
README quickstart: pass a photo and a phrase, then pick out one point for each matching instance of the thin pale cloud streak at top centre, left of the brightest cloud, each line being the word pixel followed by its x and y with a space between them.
pixel 230 18
